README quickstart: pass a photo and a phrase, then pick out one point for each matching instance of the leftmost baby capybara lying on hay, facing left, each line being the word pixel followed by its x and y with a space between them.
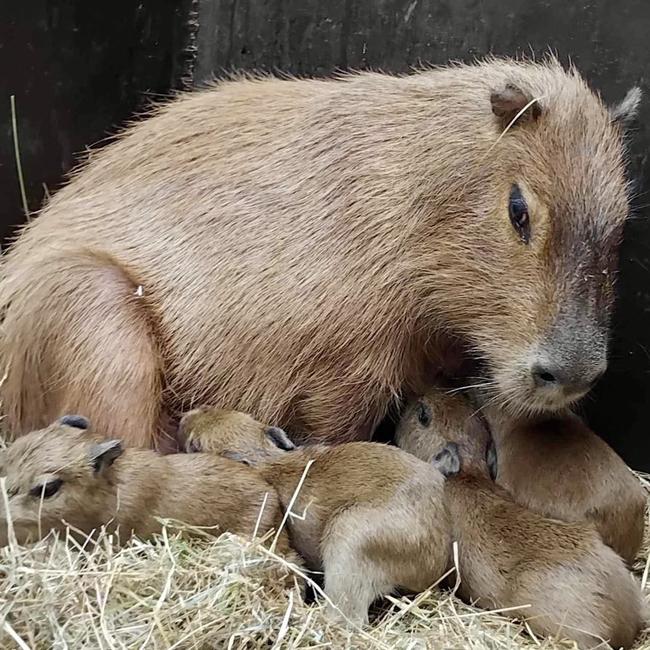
pixel 65 475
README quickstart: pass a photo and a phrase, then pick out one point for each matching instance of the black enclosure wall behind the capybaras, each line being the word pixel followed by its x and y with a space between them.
pixel 80 69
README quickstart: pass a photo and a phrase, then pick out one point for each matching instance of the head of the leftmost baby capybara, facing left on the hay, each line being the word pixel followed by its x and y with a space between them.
pixel 56 476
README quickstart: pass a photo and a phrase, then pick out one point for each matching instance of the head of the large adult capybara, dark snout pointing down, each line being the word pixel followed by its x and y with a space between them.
pixel 525 269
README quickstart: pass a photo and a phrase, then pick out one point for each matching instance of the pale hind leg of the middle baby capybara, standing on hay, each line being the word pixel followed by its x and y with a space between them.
pixel 352 580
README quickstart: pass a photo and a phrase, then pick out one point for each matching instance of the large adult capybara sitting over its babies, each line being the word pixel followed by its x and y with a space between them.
pixel 304 250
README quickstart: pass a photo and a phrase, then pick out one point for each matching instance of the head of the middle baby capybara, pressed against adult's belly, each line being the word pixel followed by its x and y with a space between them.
pixel 232 434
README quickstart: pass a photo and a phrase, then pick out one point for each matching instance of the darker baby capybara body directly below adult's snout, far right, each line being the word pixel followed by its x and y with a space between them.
pixel 560 468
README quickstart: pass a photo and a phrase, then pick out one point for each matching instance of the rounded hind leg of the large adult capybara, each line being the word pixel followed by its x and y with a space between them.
pixel 77 339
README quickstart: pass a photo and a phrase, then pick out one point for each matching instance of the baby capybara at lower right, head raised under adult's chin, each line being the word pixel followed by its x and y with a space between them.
pixel 567 581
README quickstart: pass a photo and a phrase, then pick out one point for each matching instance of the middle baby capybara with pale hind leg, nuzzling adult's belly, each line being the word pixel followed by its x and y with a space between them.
pixel 370 516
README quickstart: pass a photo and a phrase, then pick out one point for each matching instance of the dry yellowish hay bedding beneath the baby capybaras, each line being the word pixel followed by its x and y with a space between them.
pixel 216 592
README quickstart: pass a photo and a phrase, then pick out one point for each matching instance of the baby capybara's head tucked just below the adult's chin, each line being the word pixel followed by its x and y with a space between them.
pixel 443 428
